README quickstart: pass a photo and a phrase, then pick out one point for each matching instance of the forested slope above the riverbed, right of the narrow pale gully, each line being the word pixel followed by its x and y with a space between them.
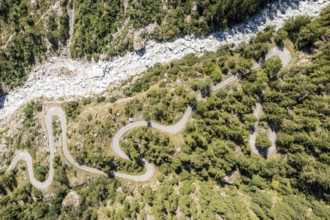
pixel 109 28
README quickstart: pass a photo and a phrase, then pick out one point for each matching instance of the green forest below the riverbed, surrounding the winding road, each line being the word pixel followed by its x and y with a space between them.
pixel 209 170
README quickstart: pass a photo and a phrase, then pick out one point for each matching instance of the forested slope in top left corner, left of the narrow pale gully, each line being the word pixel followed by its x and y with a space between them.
pixel 29 30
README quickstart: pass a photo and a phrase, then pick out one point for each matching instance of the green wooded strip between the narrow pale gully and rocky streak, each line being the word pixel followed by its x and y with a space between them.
pixel 95 22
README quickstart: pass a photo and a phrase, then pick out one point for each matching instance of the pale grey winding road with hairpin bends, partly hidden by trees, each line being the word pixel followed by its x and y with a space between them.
pixel 284 55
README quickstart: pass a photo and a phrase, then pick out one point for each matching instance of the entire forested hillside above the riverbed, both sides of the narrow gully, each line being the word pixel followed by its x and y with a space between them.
pixel 33 30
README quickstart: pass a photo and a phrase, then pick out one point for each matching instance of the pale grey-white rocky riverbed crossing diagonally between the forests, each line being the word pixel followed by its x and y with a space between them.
pixel 95 77
